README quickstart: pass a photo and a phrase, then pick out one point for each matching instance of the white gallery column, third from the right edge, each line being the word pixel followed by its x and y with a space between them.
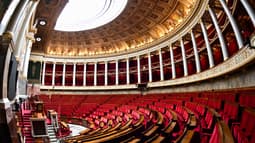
pixel 218 30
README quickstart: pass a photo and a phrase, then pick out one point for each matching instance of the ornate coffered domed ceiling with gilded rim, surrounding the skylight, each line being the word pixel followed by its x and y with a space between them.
pixel 142 22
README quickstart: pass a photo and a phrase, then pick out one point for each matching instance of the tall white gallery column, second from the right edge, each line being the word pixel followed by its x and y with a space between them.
pixel 233 24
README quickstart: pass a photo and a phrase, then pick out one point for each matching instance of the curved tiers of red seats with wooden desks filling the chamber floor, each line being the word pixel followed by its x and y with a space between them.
pixel 215 117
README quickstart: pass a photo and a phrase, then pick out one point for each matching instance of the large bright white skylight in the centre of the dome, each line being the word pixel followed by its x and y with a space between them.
pixel 79 15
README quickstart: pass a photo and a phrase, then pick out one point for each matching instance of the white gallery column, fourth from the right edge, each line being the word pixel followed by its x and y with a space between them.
pixel 207 44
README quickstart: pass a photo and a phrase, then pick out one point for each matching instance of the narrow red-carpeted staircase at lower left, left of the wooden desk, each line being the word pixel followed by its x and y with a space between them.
pixel 27 127
